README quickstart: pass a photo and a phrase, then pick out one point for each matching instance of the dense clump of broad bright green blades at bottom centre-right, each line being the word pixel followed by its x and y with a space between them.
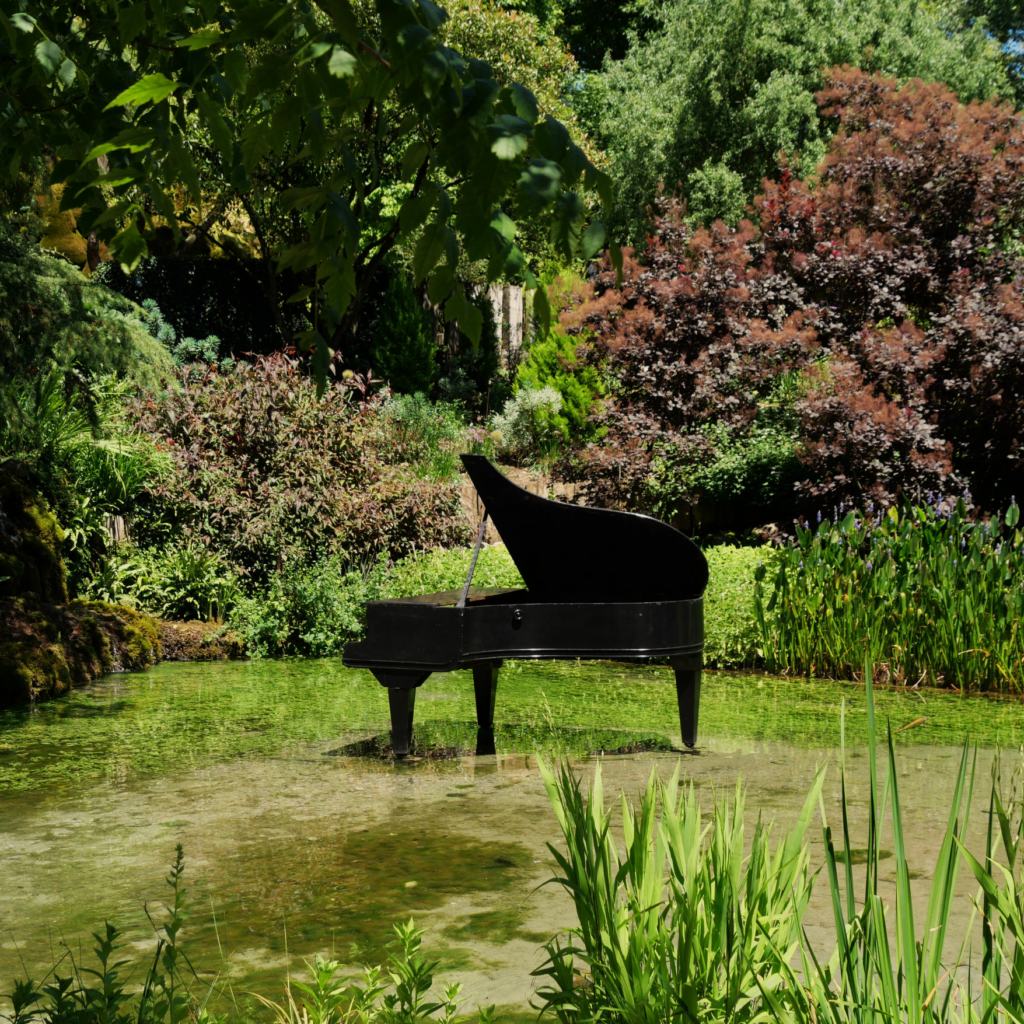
pixel 686 921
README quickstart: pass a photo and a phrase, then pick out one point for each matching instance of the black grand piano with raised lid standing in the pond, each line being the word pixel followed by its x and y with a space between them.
pixel 601 584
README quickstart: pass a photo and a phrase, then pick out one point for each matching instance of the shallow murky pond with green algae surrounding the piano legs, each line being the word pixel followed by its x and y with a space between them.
pixel 294 844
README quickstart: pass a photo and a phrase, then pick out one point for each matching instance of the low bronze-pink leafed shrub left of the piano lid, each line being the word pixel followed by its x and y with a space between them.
pixel 266 473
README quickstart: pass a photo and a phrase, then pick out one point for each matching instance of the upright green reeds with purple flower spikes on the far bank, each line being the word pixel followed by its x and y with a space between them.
pixel 928 594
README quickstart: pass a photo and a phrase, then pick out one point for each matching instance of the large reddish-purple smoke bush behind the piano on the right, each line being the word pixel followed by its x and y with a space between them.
pixel 890 286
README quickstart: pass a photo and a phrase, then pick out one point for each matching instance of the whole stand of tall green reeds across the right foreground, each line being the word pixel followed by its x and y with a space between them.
pixel 685 926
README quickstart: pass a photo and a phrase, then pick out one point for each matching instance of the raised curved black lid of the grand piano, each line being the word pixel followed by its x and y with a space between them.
pixel 570 552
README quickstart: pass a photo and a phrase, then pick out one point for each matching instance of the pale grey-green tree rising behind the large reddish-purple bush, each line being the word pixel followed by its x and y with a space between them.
pixel 706 104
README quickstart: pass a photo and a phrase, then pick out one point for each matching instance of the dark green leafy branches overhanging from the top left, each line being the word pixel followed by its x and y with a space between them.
pixel 251 91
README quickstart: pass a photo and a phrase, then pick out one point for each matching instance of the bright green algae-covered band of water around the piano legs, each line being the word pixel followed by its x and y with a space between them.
pixel 185 717
